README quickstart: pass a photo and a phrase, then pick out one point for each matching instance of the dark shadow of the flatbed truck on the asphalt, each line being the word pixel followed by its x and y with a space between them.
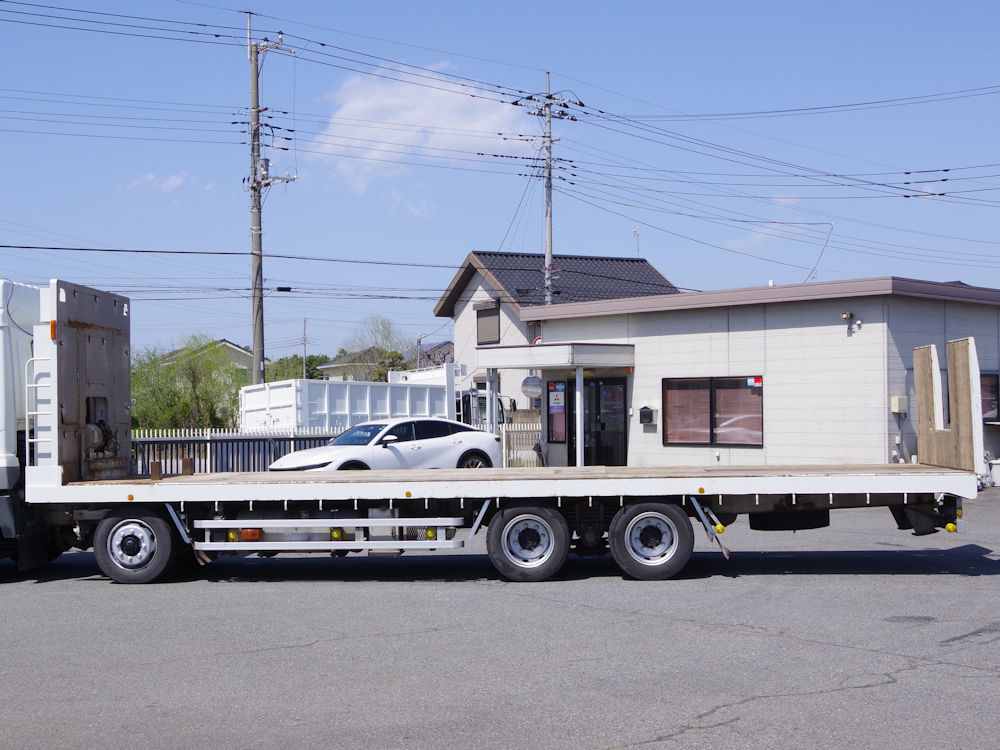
pixel 967 560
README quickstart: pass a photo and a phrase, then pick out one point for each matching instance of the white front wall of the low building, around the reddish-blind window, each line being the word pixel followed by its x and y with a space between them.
pixel 824 396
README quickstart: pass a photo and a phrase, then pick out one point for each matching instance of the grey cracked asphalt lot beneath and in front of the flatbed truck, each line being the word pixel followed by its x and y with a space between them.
pixel 857 636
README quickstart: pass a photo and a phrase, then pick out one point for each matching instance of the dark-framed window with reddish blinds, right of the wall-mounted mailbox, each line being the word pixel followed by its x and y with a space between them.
pixel 713 411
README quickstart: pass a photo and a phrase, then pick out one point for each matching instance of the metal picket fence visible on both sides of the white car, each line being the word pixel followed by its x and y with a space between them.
pixel 224 450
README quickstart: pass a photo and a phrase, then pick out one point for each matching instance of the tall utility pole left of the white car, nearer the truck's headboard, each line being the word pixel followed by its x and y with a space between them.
pixel 258 180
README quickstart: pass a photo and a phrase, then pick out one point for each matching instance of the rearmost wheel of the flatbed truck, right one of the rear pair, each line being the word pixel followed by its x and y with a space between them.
pixel 651 541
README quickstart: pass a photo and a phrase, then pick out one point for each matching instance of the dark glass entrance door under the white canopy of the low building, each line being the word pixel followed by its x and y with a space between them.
pixel 604 423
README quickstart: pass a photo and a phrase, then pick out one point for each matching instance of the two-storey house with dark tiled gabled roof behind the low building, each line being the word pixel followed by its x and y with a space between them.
pixel 488 294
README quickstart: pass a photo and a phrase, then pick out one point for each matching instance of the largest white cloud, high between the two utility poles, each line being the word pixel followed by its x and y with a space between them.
pixel 379 125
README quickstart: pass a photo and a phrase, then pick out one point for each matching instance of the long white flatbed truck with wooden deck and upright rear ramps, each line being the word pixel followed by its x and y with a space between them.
pixel 68 482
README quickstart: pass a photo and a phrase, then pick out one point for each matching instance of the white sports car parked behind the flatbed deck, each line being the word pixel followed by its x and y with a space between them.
pixel 400 444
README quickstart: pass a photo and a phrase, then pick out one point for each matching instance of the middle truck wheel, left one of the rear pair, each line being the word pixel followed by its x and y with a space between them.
pixel 528 543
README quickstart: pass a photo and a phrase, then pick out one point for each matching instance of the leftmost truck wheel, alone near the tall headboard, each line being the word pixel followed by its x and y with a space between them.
pixel 133 546
